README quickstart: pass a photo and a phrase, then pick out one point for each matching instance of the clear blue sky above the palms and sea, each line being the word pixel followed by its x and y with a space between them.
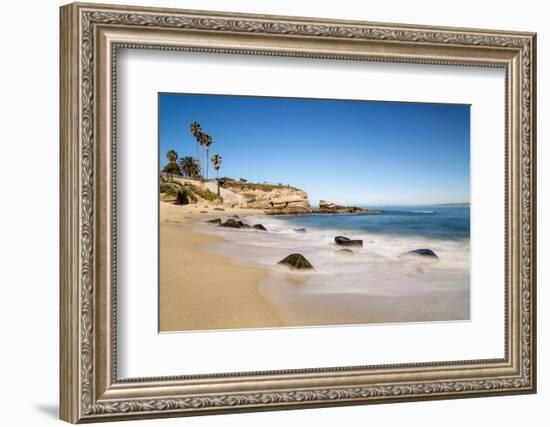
pixel 349 152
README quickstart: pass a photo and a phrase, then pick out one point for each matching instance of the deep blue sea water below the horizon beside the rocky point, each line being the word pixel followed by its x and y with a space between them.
pixel 433 222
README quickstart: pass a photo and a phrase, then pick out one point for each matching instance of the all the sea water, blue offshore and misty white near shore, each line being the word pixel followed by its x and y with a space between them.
pixel 340 287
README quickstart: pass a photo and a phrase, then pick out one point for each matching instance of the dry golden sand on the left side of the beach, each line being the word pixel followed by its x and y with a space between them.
pixel 201 290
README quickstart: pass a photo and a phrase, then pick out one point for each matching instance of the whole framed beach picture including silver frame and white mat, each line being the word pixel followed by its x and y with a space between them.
pixel 265 212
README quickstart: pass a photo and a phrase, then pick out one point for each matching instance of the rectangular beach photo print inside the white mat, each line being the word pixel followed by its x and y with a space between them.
pixel 292 212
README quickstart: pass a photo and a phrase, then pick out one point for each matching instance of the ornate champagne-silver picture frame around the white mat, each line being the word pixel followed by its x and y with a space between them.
pixel 91 34
